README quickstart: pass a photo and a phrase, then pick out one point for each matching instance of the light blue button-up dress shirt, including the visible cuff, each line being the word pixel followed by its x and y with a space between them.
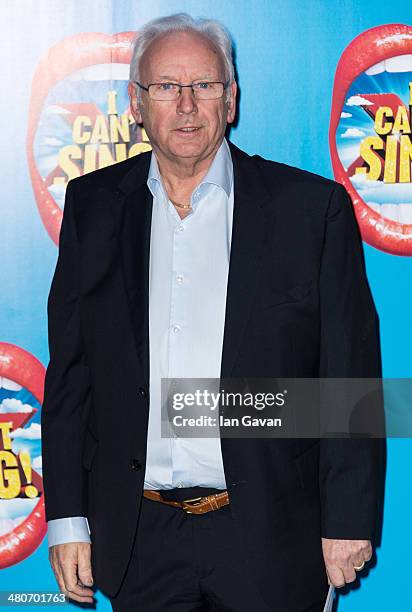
pixel 188 272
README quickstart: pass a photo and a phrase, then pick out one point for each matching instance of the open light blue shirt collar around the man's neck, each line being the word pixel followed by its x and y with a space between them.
pixel 220 173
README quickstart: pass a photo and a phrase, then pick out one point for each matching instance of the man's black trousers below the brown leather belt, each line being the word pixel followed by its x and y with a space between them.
pixel 183 562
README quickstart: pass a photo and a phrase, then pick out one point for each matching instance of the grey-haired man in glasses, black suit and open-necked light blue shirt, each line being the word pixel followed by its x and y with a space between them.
pixel 144 255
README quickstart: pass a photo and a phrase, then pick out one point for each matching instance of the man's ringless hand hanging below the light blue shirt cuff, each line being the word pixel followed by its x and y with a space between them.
pixel 72 567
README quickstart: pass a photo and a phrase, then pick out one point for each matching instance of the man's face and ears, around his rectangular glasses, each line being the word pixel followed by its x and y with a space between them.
pixel 183 58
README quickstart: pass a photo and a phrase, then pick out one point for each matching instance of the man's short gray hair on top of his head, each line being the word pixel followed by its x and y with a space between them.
pixel 182 22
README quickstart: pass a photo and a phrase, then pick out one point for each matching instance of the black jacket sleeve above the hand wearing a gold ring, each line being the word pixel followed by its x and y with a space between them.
pixel 350 469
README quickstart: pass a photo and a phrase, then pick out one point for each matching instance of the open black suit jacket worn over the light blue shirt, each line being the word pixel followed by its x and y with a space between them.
pixel 298 305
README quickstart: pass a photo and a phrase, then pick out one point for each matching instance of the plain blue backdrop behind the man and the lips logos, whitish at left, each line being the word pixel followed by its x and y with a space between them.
pixel 286 56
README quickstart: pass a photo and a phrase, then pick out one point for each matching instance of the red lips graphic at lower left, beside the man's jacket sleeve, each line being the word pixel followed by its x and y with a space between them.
pixel 20 366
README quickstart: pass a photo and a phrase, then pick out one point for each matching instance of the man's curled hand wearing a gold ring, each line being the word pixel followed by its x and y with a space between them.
pixel 342 556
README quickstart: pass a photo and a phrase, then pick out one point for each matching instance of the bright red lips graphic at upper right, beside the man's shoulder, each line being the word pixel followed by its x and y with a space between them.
pixel 366 50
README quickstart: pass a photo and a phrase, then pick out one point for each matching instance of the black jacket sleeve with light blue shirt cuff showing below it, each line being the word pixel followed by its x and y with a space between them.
pixel 67 384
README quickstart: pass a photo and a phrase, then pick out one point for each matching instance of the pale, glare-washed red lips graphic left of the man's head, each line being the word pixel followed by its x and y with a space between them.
pixel 65 58
